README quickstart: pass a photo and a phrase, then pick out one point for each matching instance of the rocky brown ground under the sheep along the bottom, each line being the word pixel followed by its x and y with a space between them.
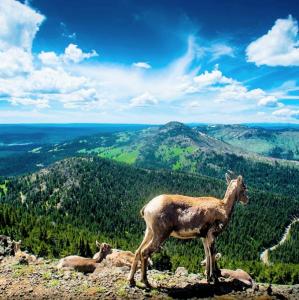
pixel 43 281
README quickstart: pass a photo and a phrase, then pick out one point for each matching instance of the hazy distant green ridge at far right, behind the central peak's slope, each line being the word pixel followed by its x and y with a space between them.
pixel 273 142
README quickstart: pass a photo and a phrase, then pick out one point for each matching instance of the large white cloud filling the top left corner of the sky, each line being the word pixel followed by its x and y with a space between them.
pixel 18 25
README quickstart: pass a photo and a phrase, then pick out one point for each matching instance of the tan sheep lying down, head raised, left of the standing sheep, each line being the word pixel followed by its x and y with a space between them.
pixel 83 264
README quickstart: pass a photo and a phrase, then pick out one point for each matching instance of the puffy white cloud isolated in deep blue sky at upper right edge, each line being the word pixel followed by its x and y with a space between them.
pixel 278 47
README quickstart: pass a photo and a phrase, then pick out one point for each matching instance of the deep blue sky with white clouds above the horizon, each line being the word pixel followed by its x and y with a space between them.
pixel 130 61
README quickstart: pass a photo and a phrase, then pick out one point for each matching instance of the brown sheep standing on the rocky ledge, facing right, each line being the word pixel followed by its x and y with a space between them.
pixel 187 217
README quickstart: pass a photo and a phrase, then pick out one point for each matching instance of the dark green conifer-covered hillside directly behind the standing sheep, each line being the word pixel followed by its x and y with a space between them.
pixel 63 209
